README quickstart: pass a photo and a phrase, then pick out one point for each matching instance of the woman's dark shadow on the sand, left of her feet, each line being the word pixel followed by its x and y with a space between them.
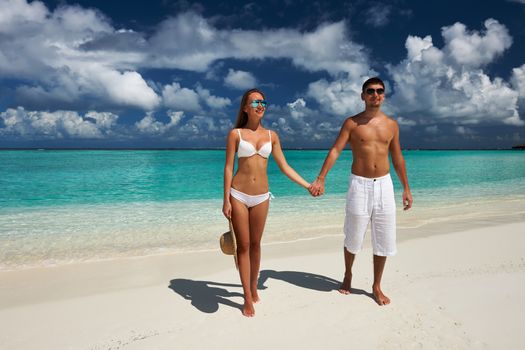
pixel 205 295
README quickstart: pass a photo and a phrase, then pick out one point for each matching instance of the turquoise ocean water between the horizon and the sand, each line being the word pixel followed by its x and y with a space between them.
pixel 67 206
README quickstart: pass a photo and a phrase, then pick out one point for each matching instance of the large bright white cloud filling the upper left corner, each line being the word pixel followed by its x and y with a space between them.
pixel 45 47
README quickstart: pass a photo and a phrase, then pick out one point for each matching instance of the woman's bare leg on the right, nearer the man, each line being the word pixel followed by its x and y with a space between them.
pixel 257 216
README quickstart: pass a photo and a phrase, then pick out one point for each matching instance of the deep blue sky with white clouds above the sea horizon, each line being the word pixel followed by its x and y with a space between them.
pixel 170 73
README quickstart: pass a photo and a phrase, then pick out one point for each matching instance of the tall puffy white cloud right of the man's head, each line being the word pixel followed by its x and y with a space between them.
pixel 448 85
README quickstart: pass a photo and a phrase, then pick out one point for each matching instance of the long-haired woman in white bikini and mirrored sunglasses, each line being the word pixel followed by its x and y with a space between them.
pixel 246 195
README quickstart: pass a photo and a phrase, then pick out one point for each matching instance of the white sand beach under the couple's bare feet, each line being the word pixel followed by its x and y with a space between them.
pixel 460 290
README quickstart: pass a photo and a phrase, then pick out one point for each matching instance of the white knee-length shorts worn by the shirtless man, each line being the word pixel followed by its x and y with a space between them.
pixel 371 200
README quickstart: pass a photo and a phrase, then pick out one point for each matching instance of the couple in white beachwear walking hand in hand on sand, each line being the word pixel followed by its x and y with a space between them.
pixel 370 198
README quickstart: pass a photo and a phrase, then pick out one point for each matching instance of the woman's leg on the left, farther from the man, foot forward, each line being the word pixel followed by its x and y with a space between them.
pixel 241 225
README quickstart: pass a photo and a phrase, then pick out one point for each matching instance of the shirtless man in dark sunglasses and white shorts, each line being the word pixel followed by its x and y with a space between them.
pixel 370 198
